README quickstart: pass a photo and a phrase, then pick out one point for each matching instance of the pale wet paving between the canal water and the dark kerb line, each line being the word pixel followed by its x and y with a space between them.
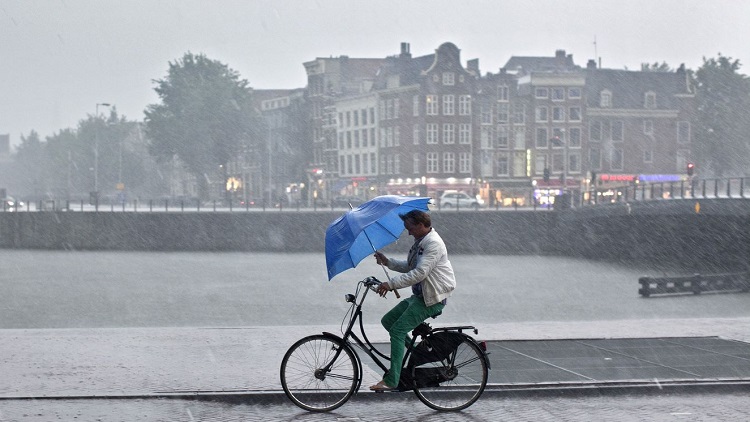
pixel 151 362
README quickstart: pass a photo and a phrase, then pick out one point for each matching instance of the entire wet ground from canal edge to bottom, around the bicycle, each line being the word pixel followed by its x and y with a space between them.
pixel 232 373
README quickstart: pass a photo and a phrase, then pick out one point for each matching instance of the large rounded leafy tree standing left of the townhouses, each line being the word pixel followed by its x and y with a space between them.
pixel 205 117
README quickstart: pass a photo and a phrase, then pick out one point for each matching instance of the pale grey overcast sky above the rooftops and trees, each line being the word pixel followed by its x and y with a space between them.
pixel 59 58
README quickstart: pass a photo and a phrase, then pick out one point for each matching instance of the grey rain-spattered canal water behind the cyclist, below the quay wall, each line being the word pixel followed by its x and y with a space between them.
pixel 74 289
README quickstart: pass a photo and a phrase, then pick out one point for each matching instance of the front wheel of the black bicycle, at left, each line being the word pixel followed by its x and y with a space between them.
pixel 319 373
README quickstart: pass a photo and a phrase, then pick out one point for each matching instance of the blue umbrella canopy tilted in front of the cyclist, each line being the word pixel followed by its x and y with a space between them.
pixel 367 228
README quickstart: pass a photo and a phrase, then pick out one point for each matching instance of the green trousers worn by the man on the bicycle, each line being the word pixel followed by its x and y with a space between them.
pixel 399 322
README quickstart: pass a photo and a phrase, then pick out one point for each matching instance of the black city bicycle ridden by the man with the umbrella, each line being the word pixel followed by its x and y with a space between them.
pixel 447 369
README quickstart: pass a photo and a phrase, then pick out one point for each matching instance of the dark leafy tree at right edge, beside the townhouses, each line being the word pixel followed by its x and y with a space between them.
pixel 721 143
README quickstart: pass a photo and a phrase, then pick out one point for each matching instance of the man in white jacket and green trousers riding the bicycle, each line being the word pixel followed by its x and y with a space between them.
pixel 429 273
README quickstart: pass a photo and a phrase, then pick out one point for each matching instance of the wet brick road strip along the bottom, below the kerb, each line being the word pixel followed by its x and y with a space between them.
pixel 719 406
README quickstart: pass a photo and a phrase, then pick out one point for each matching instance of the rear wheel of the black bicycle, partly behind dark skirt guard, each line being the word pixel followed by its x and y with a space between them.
pixel 457 382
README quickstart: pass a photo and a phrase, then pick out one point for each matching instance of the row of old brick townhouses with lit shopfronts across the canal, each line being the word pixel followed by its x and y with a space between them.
pixel 427 124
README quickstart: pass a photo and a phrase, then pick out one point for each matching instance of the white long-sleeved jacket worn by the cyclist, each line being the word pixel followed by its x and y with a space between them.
pixel 433 270
